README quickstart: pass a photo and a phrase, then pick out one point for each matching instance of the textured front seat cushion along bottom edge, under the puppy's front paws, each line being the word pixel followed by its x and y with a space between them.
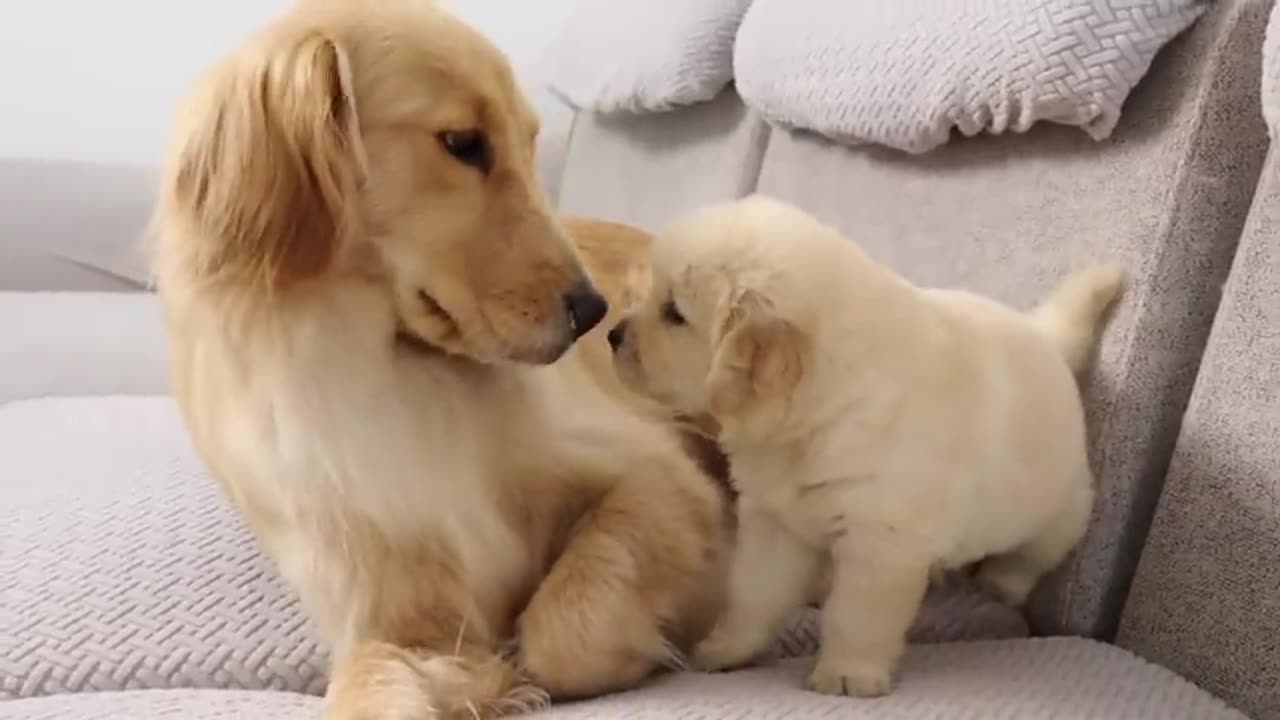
pixel 1050 680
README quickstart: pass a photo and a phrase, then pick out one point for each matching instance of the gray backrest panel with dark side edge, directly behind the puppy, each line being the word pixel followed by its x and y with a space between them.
pixel 1009 216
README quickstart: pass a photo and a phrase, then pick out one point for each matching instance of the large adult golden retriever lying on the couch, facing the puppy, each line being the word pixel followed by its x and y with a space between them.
pixel 373 316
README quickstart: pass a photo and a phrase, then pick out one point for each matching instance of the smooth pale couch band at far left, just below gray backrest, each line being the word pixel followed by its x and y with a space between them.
pixel 81 344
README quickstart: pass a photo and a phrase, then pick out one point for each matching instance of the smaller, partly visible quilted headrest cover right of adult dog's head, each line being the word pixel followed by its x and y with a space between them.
pixel 627 57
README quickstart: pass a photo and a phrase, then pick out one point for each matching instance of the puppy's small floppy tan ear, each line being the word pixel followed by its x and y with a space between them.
pixel 758 357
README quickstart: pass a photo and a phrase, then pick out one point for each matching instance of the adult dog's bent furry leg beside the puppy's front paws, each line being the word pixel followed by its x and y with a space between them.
pixel 637 580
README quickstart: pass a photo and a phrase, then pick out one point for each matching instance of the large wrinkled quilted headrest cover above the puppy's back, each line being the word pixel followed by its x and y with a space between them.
pixel 906 74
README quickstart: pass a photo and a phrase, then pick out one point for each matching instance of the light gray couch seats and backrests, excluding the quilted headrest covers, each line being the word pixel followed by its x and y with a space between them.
pixel 130 590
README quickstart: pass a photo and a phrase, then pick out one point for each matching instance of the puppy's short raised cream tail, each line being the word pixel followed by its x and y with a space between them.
pixel 1077 313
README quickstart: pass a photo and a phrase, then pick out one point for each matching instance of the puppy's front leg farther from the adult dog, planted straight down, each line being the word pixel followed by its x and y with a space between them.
pixel 876 594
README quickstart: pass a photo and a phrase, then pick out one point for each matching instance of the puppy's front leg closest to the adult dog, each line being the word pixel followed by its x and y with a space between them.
pixel 771 575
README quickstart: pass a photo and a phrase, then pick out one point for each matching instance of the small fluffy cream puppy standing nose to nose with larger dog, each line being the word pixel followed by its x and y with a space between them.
pixel 877 432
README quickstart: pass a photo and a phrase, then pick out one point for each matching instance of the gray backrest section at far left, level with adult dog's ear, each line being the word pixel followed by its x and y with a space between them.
pixel 72 226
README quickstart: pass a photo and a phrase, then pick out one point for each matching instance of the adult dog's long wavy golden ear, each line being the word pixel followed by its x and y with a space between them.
pixel 269 162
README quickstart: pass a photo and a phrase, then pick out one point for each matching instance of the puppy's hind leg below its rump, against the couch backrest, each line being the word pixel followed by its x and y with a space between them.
pixel 1012 577
